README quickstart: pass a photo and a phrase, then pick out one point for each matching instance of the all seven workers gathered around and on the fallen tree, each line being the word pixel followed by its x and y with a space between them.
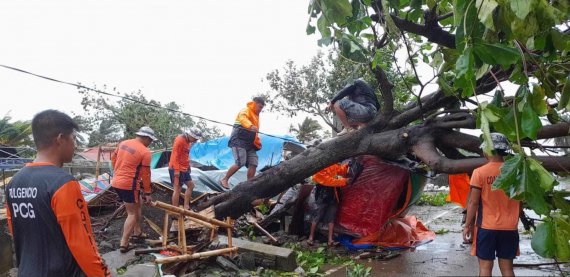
pixel 51 228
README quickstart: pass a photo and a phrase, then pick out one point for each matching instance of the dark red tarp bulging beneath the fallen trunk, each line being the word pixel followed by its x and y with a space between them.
pixel 369 202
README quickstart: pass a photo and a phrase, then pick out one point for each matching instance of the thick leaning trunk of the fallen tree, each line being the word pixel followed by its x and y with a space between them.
pixel 389 145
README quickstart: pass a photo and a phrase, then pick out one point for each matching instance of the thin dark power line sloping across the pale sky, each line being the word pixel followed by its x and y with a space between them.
pixel 134 100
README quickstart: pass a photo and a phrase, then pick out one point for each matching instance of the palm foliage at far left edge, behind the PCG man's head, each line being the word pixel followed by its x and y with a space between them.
pixel 17 133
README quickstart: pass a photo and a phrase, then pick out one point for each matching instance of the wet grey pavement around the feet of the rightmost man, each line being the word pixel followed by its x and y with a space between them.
pixel 448 256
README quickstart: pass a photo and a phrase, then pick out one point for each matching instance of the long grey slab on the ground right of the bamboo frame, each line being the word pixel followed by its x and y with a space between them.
pixel 284 257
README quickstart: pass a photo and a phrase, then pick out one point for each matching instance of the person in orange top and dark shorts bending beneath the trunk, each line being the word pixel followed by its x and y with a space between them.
pixel 327 198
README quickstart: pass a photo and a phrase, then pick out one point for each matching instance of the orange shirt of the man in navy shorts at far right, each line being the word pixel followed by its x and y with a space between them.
pixel 496 210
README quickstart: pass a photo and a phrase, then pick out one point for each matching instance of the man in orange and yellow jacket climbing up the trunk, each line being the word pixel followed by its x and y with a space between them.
pixel 244 140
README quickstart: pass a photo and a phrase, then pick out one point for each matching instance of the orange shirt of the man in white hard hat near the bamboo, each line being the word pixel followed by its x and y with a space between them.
pixel 131 165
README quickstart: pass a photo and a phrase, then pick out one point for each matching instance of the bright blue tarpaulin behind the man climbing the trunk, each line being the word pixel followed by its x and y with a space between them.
pixel 217 153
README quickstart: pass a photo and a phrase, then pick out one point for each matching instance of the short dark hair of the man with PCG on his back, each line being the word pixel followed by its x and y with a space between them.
pixel 48 124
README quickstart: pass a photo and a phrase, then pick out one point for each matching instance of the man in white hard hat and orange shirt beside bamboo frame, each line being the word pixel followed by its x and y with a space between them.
pixel 131 166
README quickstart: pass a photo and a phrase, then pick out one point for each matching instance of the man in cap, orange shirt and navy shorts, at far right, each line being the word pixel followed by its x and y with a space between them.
pixel 492 217
